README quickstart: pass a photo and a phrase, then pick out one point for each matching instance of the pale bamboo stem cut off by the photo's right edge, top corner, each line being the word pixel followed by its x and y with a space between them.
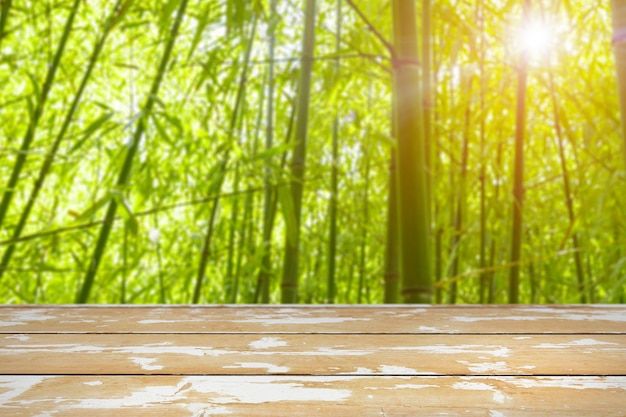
pixel 619 50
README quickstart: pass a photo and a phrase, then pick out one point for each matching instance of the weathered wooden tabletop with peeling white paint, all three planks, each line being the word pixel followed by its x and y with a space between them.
pixel 312 361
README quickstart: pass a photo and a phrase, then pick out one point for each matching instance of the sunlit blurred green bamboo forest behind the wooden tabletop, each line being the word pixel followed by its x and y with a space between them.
pixel 312 151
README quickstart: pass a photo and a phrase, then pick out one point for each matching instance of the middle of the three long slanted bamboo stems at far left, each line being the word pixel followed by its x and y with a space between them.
pixel 51 155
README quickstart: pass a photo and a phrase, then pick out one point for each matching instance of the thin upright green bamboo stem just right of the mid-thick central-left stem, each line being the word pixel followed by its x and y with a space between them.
pixel 334 179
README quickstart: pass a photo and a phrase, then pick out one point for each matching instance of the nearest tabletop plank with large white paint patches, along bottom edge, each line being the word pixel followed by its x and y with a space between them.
pixel 312 396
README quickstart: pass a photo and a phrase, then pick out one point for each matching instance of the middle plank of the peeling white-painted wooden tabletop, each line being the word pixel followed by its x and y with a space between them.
pixel 322 354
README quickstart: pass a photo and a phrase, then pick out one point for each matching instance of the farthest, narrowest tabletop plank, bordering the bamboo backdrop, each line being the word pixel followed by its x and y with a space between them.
pixel 315 319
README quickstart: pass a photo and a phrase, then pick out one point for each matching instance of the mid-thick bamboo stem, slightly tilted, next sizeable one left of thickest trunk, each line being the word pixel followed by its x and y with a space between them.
pixel 290 268
